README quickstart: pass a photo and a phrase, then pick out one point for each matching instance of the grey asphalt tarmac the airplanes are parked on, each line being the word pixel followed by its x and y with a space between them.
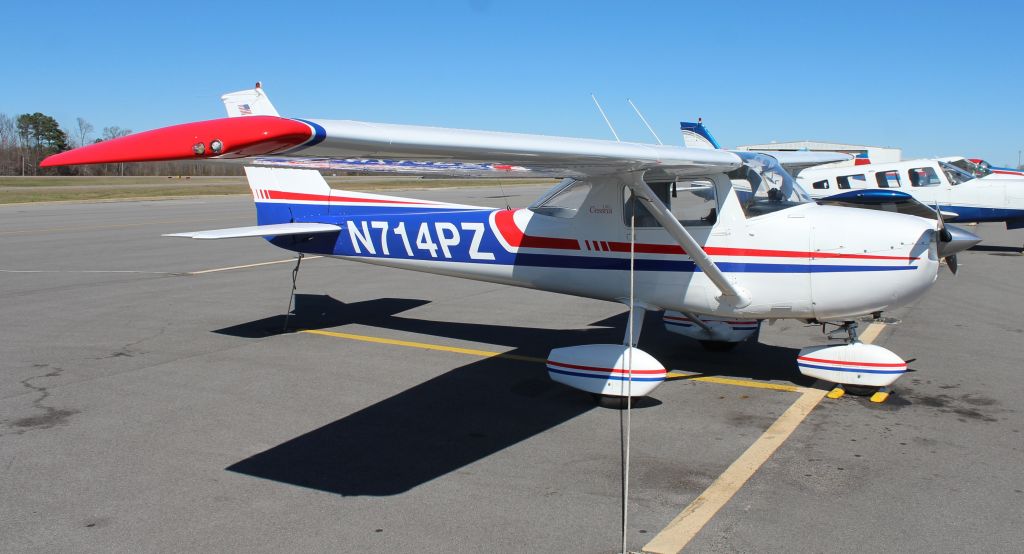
pixel 150 402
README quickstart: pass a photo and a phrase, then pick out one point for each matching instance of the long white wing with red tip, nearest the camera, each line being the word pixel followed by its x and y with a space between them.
pixel 277 142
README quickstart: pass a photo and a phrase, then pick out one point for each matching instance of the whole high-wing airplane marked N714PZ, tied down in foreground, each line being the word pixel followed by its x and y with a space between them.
pixel 664 219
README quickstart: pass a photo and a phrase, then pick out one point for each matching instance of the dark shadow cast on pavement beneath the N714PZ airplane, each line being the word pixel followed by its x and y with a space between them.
pixel 455 419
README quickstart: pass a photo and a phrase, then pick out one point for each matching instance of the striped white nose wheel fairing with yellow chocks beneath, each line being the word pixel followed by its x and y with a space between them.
pixel 855 364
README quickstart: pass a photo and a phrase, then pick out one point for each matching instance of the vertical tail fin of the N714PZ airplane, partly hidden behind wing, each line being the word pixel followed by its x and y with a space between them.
pixel 277 189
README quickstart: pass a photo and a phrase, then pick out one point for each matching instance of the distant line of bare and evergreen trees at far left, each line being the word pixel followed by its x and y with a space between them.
pixel 28 139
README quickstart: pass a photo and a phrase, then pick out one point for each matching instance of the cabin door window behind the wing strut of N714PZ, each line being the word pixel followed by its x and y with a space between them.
pixel 694 203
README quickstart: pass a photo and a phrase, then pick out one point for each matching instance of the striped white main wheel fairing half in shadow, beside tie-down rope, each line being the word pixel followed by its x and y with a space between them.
pixel 604 369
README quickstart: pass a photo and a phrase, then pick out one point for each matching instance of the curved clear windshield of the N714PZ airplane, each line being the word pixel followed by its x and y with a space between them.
pixel 772 188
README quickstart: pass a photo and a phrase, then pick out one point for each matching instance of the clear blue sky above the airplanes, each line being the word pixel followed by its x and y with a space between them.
pixel 935 79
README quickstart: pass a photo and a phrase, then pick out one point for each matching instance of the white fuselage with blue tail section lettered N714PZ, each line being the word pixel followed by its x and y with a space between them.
pixel 806 262
